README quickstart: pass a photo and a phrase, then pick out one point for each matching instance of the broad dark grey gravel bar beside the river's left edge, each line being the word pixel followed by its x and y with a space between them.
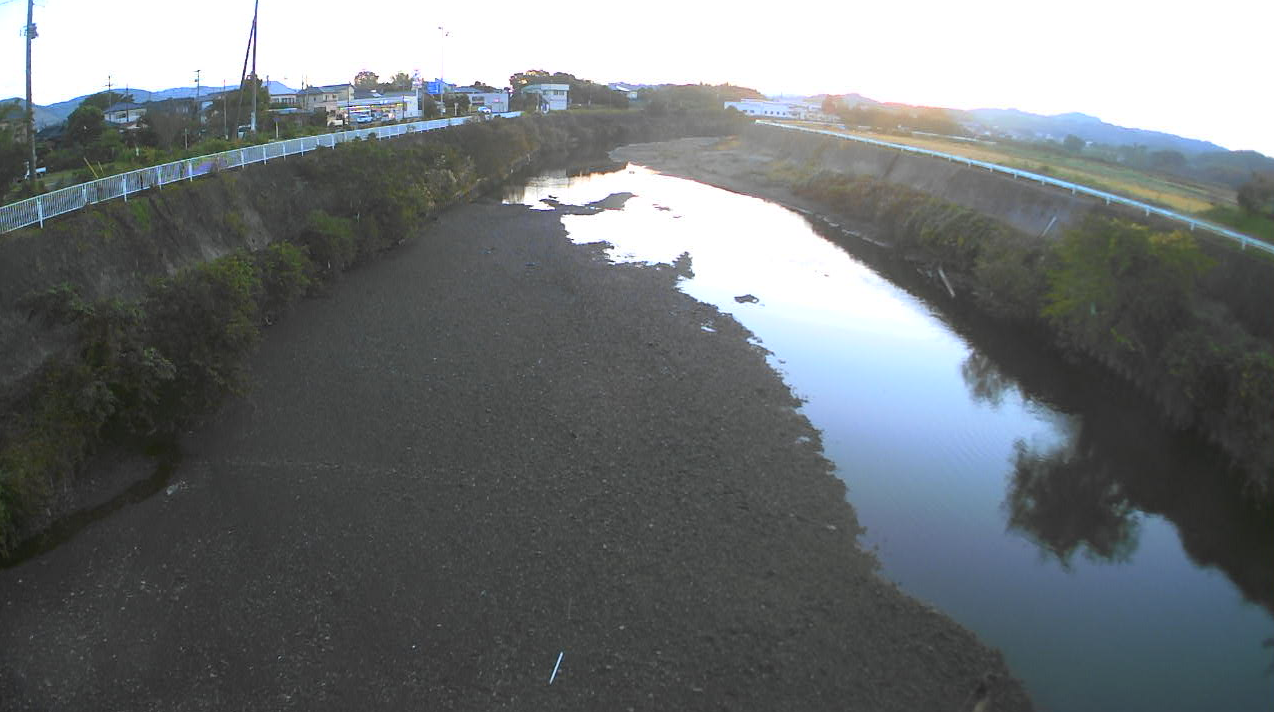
pixel 485 450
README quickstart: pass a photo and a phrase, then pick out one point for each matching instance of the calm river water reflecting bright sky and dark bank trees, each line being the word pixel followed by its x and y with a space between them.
pixel 1043 508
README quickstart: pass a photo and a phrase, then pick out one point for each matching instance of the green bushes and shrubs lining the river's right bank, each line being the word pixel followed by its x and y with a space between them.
pixel 1143 304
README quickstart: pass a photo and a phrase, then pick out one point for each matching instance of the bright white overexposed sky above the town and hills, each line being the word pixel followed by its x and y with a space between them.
pixel 1194 69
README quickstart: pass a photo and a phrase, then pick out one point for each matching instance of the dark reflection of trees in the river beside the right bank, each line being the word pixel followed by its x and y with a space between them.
pixel 1117 463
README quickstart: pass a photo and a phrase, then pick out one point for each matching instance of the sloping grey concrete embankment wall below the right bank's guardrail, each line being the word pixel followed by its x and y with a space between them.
pixel 1025 206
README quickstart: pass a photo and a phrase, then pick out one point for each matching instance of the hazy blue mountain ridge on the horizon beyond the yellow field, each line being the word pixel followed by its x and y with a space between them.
pixel 1033 127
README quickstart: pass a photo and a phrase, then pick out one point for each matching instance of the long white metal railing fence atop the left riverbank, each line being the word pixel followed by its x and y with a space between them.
pixel 36 211
